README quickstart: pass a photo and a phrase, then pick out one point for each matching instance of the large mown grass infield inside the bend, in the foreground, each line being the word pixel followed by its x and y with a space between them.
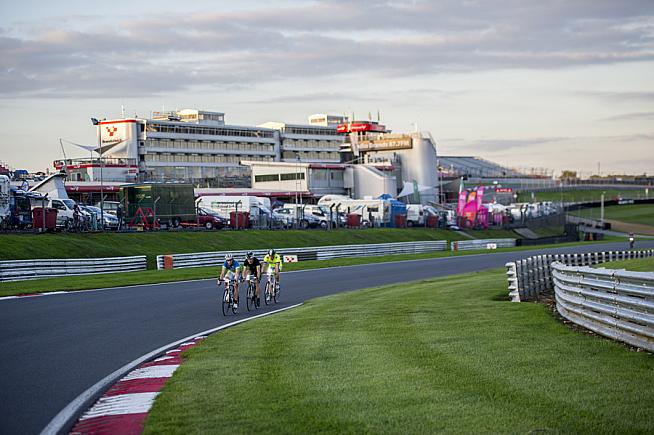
pixel 444 355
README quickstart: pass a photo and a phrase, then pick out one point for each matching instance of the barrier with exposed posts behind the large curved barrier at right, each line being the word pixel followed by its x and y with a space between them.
pixel 528 278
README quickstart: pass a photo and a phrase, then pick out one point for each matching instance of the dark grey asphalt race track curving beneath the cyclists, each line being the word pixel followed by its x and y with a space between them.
pixel 55 347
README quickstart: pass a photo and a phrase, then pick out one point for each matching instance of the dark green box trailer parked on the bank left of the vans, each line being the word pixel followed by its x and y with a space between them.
pixel 169 204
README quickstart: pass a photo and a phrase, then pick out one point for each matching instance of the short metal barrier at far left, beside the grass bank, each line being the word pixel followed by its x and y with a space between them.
pixel 17 270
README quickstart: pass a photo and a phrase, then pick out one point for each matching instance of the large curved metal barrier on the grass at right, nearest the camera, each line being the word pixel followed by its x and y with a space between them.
pixel 614 303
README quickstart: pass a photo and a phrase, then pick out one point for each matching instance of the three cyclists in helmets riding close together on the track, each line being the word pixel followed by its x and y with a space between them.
pixel 252 268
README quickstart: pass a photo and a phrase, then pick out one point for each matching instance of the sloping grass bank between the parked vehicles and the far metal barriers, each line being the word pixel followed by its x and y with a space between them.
pixel 29 246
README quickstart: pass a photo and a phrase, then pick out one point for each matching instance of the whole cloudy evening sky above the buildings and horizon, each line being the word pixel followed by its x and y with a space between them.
pixel 561 84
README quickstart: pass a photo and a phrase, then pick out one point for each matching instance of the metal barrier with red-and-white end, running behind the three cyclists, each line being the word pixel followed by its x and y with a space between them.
pixel 199 259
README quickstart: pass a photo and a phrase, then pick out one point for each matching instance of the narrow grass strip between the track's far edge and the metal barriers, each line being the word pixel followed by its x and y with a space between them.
pixel 86 282
